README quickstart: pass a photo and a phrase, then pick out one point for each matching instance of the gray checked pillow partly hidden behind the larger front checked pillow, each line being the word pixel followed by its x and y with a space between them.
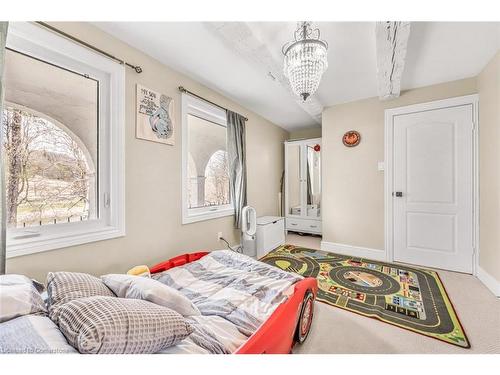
pixel 63 287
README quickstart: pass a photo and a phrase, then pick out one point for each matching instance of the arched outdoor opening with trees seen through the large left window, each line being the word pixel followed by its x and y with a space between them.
pixel 48 176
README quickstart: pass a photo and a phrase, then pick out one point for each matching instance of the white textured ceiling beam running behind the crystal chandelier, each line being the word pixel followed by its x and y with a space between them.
pixel 241 39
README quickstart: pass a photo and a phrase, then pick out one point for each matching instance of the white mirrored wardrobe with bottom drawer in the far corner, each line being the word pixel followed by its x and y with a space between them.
pixel 303 186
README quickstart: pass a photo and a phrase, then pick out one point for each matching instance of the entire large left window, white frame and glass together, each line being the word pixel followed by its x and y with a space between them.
pixel 62 142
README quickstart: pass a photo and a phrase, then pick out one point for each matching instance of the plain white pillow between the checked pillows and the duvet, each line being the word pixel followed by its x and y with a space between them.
pixel 129 286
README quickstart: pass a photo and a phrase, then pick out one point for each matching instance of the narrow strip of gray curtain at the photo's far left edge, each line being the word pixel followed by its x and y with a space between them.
pixel 3 37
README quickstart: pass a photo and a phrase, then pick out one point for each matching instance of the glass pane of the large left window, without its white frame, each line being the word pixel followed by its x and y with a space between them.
pixel 50 143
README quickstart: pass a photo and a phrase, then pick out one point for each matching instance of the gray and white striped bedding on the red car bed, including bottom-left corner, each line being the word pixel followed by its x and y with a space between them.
pixel 234 293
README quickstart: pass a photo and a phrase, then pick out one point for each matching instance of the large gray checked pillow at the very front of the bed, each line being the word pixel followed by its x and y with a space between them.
pixel 120 326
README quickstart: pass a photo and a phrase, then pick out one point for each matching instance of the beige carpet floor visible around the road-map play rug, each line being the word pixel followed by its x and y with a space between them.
pixel 338 331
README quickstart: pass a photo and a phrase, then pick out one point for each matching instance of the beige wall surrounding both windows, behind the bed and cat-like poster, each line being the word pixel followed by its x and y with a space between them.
pixel 153 189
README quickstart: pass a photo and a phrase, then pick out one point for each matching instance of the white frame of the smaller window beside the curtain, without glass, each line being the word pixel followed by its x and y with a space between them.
pixel 199 108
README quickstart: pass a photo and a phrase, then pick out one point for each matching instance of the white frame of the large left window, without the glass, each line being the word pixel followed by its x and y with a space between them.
pixel 40 43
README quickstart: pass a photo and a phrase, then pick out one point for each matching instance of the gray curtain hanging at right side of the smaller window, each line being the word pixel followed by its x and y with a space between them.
pixel 236 150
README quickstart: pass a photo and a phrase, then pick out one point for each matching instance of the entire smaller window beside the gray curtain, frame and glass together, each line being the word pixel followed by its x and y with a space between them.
pixel 205 163
